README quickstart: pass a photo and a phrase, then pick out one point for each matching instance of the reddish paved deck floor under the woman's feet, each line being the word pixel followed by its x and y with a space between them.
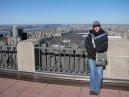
pixel 19 88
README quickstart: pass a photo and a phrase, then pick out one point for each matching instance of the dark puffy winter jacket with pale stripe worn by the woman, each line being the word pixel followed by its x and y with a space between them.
pixel 101 43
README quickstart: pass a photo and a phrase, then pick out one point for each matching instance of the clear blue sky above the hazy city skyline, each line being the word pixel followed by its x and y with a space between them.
pixel 64 11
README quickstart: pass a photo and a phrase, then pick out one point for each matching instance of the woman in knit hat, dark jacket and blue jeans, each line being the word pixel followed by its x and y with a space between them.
pixel 96 42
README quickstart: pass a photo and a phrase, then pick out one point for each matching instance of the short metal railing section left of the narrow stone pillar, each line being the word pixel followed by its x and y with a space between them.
pixel 8 57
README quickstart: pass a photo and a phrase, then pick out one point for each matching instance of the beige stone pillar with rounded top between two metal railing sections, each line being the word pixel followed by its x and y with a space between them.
pixel 26 55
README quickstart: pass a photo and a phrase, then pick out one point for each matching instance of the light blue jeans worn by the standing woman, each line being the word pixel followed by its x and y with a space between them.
pixel 96 75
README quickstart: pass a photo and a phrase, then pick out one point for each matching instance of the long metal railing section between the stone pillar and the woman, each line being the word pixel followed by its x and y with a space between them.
pixel 61 60
